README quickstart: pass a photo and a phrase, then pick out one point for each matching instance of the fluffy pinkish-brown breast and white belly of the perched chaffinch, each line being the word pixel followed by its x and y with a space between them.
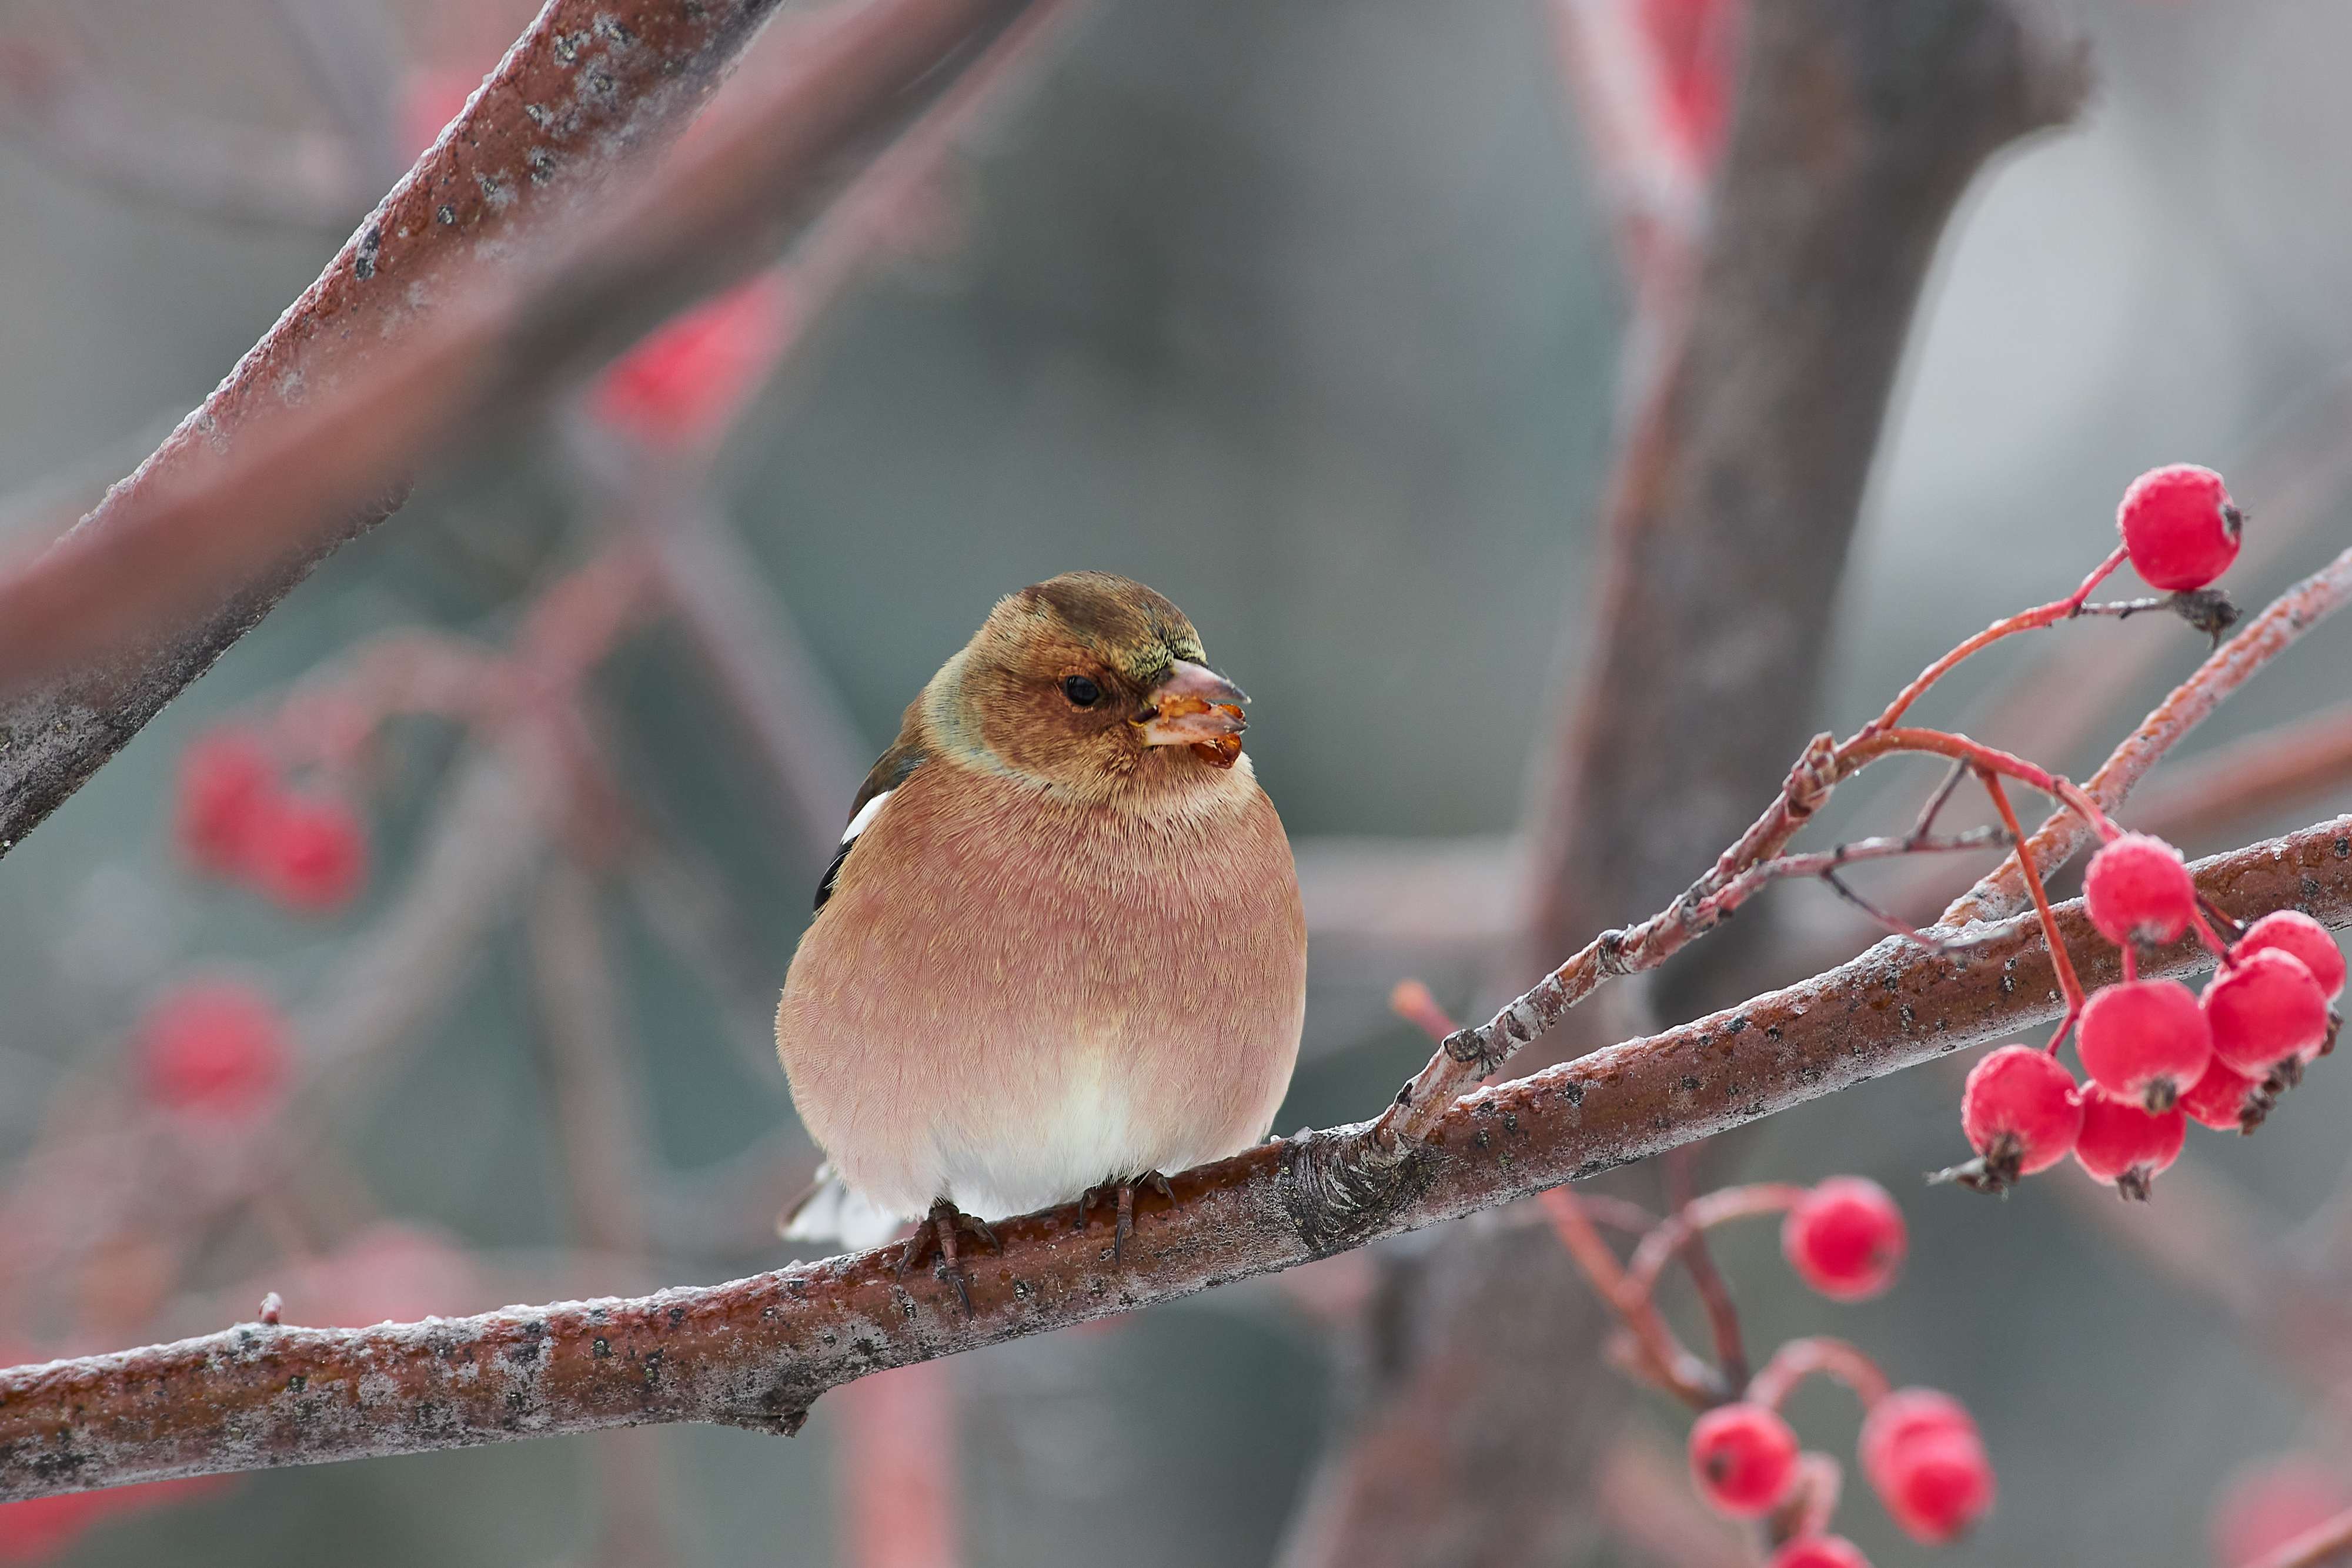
pixel 1022 998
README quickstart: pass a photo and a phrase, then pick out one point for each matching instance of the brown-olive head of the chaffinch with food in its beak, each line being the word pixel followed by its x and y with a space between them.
pixel 1090 683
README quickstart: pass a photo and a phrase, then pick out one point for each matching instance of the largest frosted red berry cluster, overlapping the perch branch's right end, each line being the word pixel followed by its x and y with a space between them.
pixel 2158 1057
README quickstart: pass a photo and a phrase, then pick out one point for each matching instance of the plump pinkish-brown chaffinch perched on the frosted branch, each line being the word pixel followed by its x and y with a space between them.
pixel 1062 946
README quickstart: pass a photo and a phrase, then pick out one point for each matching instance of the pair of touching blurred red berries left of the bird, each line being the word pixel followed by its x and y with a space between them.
pixel 241 822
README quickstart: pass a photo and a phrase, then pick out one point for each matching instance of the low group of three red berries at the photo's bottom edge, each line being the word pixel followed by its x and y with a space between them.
pixel 1920 1452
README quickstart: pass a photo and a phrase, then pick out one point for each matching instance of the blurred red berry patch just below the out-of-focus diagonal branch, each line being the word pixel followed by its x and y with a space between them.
pixel 686 384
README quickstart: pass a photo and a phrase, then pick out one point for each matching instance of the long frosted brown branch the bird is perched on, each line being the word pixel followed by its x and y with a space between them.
pixel 761 1351
